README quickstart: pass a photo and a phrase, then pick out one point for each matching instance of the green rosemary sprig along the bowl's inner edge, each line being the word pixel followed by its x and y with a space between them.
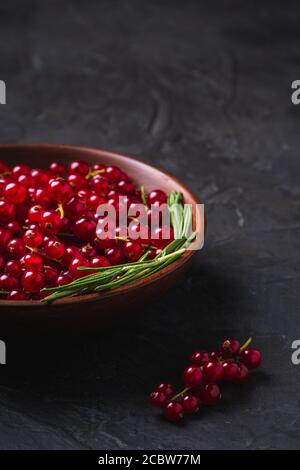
pixel 115 276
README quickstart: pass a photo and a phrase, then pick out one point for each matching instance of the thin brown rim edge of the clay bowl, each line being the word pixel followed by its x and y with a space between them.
pixel 180 262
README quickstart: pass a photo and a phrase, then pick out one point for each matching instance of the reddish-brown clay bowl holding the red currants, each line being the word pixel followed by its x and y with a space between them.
pixel 93 309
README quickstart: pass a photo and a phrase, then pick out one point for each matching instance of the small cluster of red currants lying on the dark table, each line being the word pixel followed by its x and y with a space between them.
pixel 229 363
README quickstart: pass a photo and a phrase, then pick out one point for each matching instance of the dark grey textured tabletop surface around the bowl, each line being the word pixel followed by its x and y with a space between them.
pixel 203 90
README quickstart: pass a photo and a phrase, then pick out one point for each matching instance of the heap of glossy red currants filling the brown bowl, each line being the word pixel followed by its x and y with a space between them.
pixel 48 220
